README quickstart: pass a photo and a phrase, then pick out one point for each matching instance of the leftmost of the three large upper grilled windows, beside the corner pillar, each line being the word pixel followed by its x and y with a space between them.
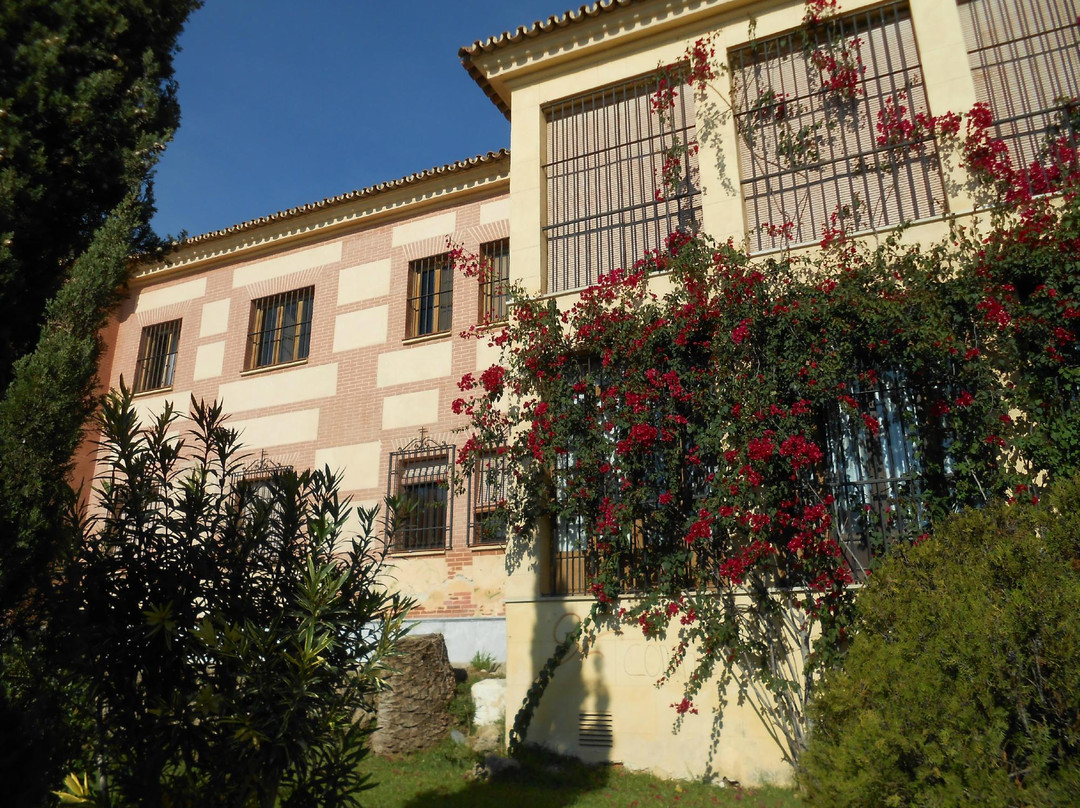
pixel 605 159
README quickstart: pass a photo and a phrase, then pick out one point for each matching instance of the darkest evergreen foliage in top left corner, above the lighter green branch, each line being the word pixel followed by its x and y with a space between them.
pixel 87 103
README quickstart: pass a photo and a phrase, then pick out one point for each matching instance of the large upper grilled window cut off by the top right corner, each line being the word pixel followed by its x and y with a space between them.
pixel 1025 61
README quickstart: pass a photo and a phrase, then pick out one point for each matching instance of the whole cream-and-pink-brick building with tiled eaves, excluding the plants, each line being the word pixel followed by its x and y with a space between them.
pixel 329 331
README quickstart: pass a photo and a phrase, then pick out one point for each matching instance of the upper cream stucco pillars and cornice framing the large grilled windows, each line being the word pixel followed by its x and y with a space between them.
pixel 617 47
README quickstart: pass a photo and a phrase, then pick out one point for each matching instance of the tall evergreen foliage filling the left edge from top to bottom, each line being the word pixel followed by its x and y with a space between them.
pixel 87 103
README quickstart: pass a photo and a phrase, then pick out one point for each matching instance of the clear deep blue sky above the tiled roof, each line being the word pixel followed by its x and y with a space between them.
pixel 287 103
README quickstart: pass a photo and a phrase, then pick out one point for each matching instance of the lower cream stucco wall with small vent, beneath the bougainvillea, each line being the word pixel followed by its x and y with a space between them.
pixel 619 677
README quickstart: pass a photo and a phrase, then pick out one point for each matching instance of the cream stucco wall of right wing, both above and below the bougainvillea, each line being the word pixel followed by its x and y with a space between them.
pixel 619 676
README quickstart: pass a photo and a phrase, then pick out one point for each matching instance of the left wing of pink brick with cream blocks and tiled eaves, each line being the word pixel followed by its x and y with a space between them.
pixel 330 334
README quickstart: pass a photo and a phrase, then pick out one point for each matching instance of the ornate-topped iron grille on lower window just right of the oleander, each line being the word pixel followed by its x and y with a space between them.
pixel 420 480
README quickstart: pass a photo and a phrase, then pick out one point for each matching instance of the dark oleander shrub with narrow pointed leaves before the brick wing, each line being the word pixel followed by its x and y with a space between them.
pixel 226 632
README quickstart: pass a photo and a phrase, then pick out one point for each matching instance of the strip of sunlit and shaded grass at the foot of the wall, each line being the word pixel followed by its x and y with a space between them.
pixel 441 777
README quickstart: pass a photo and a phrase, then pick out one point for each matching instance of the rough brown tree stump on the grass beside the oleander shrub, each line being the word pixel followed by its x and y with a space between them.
pixel 412 715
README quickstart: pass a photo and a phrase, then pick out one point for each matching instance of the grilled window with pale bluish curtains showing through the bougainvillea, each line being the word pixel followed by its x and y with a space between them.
pixel 874 478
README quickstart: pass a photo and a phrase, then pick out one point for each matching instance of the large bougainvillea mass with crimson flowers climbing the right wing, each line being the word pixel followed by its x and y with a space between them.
pixel 688 423
